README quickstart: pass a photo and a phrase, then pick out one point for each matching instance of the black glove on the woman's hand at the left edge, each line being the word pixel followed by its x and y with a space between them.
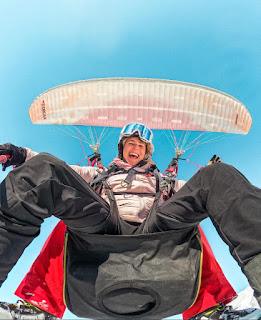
pixel 17 155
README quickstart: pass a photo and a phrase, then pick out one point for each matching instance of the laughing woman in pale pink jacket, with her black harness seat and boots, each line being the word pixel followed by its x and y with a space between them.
pixel 129 252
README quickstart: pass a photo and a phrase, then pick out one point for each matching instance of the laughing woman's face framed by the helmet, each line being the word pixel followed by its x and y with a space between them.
pixel 134 150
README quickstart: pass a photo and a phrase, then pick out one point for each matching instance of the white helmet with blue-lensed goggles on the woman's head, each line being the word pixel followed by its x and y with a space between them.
pixel 139 130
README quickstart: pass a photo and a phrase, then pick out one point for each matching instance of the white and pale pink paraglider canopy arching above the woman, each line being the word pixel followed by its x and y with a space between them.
pixel 159 104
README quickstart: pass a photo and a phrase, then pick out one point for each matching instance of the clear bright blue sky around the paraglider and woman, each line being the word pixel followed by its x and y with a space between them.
pixel 47 43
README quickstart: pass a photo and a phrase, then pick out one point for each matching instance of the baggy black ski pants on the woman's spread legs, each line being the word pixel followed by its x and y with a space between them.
pixel 46 186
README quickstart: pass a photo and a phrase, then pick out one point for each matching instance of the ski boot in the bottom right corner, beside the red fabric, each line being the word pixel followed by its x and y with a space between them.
pixel 221 312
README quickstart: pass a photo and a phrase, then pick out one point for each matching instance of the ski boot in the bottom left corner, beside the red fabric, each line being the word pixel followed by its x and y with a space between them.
pixel 23 310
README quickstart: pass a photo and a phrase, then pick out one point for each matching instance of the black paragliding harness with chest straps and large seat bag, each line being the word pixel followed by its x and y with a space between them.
pixel 116 275
